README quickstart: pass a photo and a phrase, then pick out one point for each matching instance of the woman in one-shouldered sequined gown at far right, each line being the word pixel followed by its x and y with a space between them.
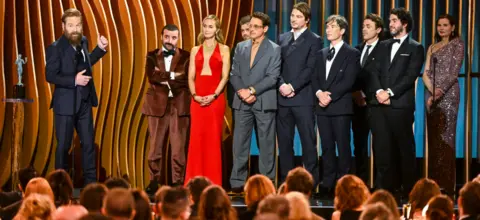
pixel 447 54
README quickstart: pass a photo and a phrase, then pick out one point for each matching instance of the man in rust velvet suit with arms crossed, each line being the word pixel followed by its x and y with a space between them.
pixel 167 105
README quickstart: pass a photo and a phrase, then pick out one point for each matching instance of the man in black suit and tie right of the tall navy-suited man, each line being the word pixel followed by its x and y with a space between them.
pixel 337 67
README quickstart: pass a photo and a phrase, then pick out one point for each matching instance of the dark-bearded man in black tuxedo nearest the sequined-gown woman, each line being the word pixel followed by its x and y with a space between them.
pixel 393 83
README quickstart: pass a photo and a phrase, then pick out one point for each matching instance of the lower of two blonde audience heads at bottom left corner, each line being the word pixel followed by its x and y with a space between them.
pixel 36 206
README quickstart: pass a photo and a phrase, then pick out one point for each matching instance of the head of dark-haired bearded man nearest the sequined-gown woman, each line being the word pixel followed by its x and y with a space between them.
pixel 401 22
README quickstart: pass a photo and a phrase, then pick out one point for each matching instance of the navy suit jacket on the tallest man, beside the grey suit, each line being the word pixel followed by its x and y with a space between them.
pixel 298 64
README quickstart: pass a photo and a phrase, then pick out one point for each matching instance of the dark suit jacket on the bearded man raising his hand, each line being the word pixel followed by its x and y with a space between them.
pixel 61 70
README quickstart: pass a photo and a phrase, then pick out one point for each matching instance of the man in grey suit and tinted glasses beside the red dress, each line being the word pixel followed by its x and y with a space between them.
pixel 255 71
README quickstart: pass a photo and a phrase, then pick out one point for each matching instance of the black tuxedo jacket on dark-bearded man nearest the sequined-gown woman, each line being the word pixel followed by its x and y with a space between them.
pixel 400 74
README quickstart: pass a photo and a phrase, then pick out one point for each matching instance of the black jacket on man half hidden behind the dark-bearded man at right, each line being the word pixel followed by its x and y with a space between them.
pixel 363 79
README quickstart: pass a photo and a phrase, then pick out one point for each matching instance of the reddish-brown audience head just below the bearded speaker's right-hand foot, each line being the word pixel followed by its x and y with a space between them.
pixel 92 197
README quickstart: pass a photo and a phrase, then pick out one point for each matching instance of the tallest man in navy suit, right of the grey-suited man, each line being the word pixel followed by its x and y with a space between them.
pixel 295 99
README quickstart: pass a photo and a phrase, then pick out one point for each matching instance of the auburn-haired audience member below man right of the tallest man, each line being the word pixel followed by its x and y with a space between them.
pixel 350 195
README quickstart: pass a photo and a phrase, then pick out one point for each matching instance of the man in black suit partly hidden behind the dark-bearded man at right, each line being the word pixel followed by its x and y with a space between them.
pixel 372 28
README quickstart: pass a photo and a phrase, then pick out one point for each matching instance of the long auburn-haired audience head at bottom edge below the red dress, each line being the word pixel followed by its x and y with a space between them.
pixel 215 205
